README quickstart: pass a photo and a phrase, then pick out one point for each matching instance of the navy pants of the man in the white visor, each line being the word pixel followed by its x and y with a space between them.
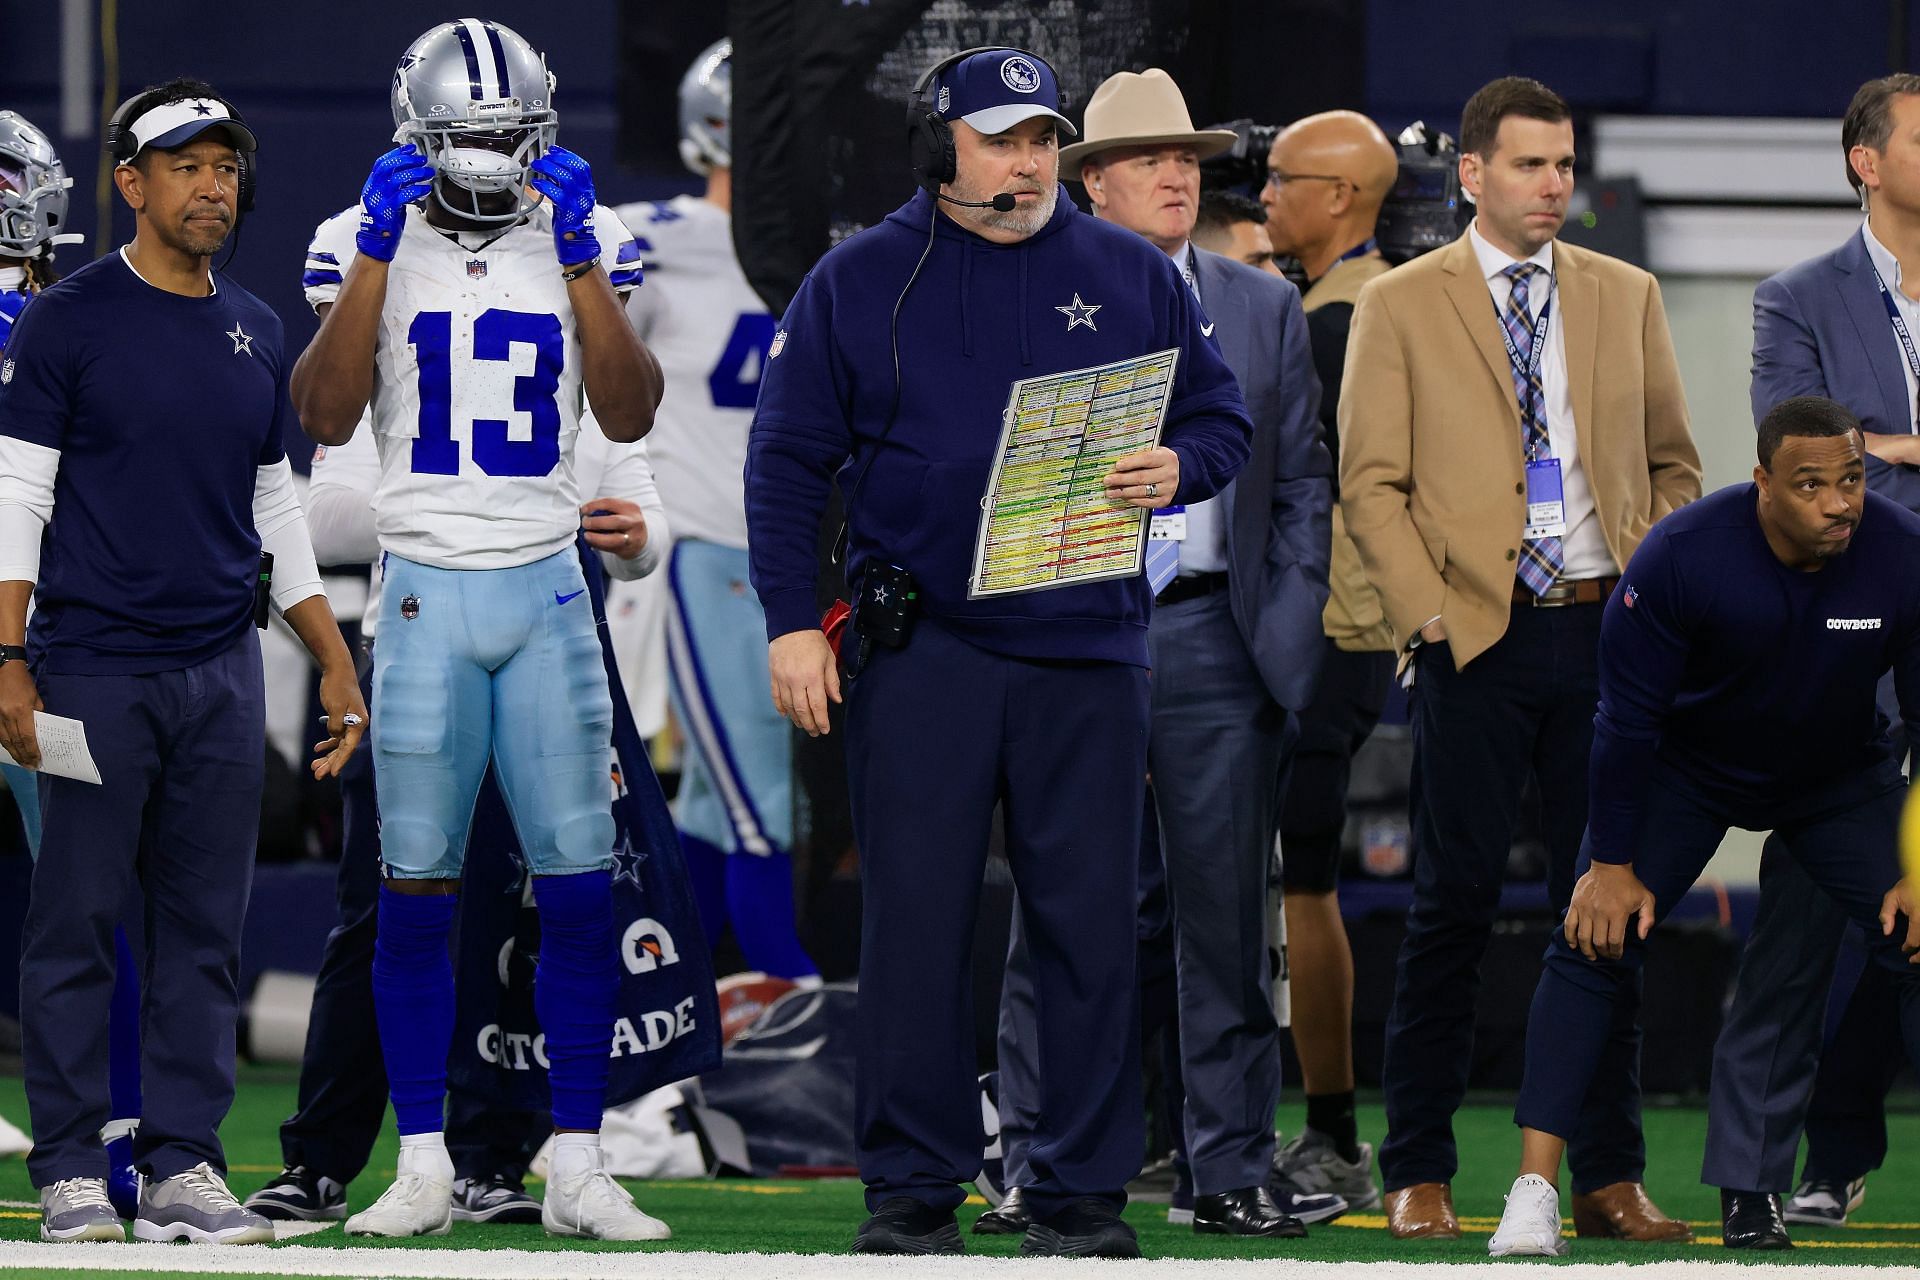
pixel 181 761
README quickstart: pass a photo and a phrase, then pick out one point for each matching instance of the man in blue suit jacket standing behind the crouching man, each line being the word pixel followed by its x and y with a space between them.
pixel 1827 327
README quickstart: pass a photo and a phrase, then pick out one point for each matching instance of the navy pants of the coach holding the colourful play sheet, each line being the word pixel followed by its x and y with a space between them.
pixel 938 734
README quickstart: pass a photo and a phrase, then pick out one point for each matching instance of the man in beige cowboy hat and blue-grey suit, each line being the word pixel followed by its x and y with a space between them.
pixel 1236 650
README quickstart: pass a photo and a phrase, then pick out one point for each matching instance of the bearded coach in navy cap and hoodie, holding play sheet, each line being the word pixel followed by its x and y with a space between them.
pixel 1032 701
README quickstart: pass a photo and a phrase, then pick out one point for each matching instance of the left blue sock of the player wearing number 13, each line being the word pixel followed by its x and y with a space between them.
pixel 414 1005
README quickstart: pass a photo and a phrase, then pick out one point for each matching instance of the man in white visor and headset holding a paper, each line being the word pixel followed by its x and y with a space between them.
pixel 143 406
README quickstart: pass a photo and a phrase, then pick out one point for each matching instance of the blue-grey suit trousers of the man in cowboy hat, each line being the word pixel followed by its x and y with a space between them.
pixel 1216 749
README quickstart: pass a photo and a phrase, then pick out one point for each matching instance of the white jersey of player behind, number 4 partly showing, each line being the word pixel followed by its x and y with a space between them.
pixel 711 335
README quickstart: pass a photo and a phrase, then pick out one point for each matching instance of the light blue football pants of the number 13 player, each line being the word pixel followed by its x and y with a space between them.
pixel 498 665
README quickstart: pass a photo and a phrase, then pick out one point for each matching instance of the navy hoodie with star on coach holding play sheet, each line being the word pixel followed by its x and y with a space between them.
pixel 980 318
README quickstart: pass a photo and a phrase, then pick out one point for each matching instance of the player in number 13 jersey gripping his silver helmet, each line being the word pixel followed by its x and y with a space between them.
pixel 477 316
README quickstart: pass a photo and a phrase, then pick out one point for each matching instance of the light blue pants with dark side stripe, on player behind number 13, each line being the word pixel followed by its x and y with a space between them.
pixel 736 780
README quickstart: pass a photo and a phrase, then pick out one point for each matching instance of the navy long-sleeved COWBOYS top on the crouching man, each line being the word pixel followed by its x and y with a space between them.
pixel 1752 680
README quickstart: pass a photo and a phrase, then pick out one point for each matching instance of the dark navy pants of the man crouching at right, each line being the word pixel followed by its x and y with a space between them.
pixel 1844 840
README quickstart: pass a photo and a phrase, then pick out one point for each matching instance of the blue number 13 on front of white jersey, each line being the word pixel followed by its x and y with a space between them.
pixel 535 394
